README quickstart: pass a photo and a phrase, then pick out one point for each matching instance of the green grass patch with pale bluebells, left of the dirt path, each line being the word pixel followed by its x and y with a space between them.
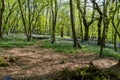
pixel 15 40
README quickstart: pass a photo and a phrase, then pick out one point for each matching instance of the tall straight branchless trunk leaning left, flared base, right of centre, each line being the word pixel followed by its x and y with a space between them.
pixel 76 44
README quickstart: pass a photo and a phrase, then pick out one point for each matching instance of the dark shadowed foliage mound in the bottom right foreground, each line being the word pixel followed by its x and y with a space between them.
pixel 86 73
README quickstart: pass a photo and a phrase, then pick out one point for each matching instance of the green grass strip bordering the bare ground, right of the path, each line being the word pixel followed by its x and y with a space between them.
pixel 68 48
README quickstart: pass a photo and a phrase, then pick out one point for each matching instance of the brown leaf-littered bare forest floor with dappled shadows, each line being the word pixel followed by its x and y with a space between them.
pixel 35 61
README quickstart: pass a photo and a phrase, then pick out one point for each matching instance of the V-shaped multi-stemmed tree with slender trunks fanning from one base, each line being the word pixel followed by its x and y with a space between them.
pixel 28 16
